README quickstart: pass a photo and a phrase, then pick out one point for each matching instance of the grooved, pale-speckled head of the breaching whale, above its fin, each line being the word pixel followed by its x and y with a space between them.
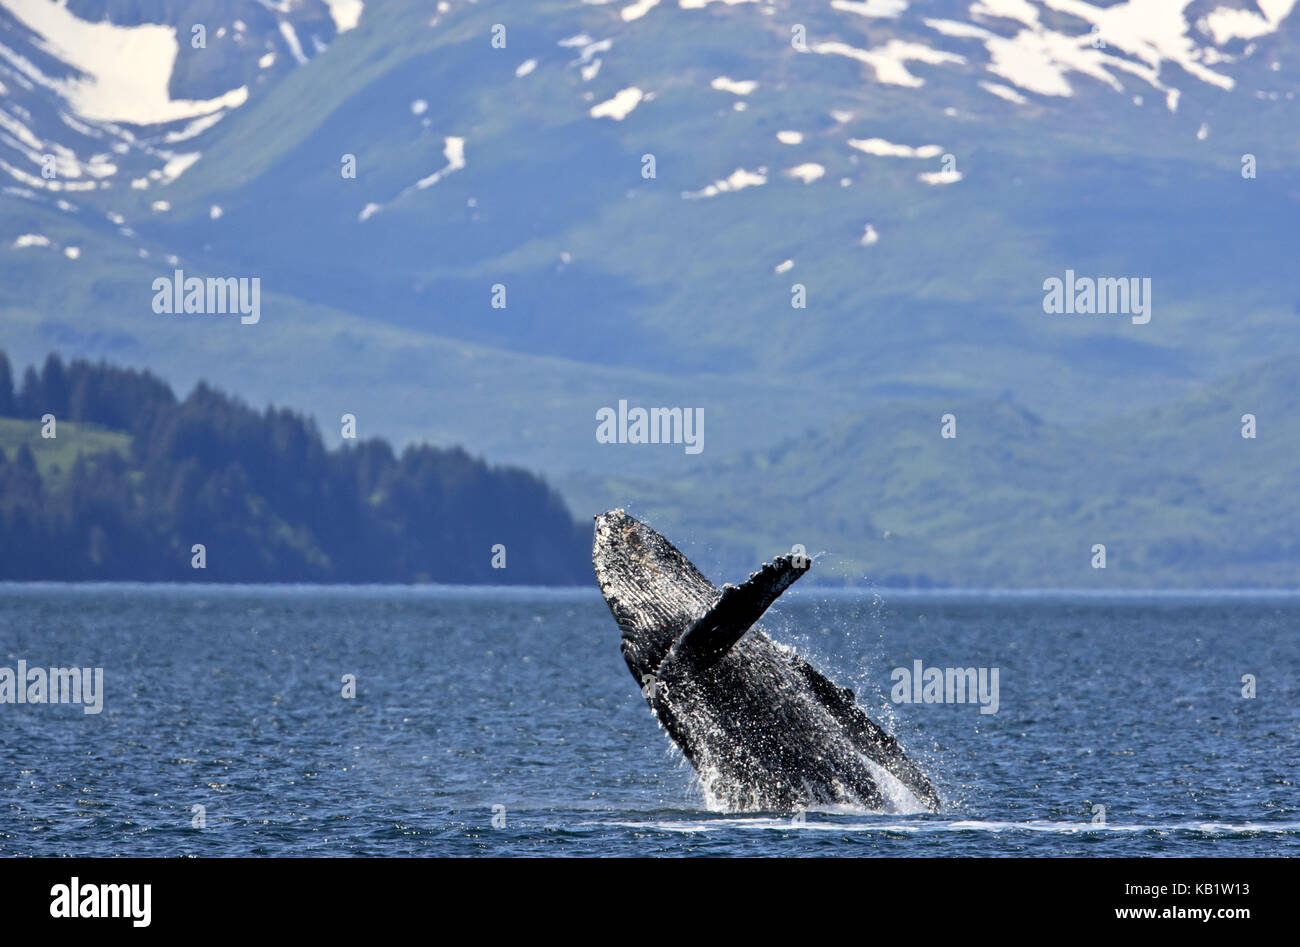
pixel 652 589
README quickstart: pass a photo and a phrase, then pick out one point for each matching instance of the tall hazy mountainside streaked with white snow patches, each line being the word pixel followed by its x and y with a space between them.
pixel 918 170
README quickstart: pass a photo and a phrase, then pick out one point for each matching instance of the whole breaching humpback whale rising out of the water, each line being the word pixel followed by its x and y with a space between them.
pixel 762 728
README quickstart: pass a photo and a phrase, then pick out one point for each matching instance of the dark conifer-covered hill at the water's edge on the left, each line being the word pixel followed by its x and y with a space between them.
pixel 106 475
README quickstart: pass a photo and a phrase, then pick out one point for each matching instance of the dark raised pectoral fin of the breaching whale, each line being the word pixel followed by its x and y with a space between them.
pixel 713 634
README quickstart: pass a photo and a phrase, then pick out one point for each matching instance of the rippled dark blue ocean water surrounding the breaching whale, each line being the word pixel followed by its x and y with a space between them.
pixel 504 723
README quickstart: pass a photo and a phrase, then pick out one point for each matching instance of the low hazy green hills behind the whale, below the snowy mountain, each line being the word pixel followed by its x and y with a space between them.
pixel 1177 495
